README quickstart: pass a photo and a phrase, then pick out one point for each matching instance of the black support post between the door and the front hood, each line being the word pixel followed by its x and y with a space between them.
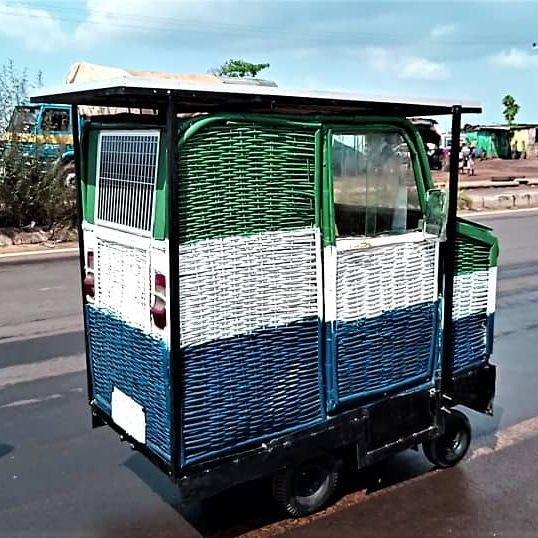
pixel 449 250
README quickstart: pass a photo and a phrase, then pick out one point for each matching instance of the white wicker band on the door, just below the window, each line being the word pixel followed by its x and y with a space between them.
pixel 374 280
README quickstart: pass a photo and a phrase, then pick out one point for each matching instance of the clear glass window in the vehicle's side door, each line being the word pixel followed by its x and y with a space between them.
pixel 374 185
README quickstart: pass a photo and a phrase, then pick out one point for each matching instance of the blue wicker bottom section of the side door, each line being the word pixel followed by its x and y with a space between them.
pixel 382 353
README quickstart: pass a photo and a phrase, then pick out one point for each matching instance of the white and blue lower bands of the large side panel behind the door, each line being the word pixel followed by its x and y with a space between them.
pixel 249 333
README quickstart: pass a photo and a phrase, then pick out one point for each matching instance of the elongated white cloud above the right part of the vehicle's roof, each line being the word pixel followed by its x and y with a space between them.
pixel 405 66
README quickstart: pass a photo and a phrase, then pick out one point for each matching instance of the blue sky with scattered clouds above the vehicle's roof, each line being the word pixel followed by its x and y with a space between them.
pixel 480 50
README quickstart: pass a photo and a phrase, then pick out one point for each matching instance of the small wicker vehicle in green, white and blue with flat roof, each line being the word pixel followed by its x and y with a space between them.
pixel 273 285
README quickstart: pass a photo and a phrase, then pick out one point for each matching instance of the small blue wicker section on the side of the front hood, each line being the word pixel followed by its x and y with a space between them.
pixel 469 342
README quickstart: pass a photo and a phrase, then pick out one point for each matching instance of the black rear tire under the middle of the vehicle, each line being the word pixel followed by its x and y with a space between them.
pixel 306 488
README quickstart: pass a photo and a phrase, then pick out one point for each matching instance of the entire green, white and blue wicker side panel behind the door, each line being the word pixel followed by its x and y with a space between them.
pixel 249 270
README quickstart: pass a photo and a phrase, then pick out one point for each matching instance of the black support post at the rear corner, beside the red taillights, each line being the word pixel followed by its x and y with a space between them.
pixel 173 254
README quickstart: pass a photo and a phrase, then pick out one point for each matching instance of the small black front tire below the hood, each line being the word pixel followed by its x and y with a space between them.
pixel 451 447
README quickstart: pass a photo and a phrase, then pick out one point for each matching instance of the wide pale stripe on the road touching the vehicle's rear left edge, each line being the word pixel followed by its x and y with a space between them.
pixel 24 373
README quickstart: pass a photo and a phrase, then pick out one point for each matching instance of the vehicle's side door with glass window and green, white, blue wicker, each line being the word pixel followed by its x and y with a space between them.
pixel 380 268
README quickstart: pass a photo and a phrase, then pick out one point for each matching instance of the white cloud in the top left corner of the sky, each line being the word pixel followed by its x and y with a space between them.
pixel 36 29
